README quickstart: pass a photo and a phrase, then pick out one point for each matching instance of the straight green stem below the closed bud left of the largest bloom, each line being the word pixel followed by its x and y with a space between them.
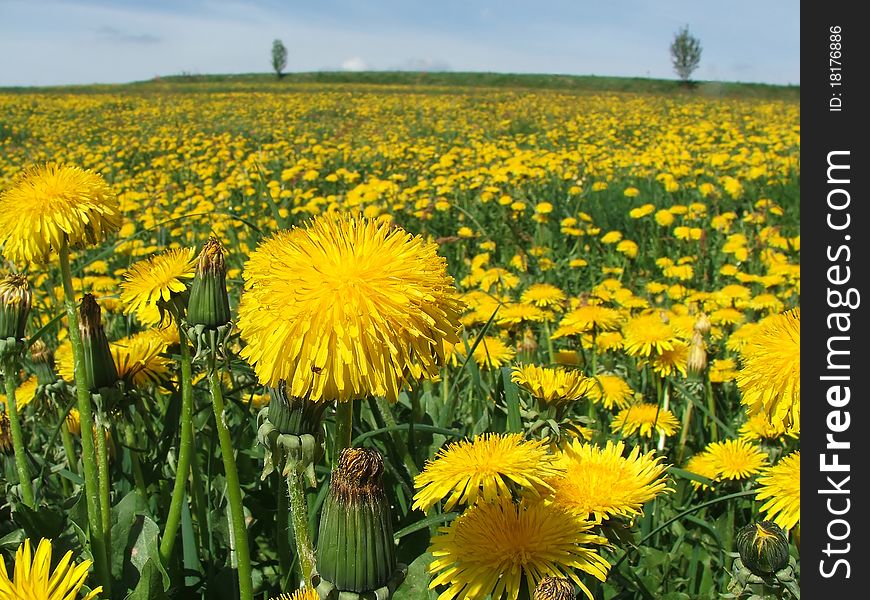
pixel 234 490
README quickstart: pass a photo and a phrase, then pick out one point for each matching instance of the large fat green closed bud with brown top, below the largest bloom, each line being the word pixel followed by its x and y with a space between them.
pixel 355 550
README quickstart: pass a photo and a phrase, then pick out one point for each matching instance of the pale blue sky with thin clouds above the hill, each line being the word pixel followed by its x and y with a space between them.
pixel 47 42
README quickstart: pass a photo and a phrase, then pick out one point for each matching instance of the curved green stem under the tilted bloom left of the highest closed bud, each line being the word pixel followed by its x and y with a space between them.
pixel 173 519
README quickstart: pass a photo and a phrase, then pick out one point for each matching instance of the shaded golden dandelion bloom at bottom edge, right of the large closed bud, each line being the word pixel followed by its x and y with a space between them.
pixel 491 548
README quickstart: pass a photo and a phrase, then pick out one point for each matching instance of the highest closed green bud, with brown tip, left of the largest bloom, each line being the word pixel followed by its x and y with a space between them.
pixel 208 309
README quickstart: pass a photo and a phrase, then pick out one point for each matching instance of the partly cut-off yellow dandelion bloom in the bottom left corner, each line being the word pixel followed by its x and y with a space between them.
pixel 33 578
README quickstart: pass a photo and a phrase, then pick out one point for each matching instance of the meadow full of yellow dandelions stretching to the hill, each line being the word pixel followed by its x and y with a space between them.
pixel 359 341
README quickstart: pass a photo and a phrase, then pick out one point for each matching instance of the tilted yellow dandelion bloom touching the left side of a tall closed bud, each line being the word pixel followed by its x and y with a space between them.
pixel 149 284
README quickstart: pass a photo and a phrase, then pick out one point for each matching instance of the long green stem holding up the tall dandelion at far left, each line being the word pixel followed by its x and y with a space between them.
pixel 89 463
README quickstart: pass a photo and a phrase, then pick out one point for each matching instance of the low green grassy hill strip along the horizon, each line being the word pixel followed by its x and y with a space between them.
pixel 416 81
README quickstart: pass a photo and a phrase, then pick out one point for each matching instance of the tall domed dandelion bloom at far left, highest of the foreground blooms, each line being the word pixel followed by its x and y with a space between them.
pixel 52 204
